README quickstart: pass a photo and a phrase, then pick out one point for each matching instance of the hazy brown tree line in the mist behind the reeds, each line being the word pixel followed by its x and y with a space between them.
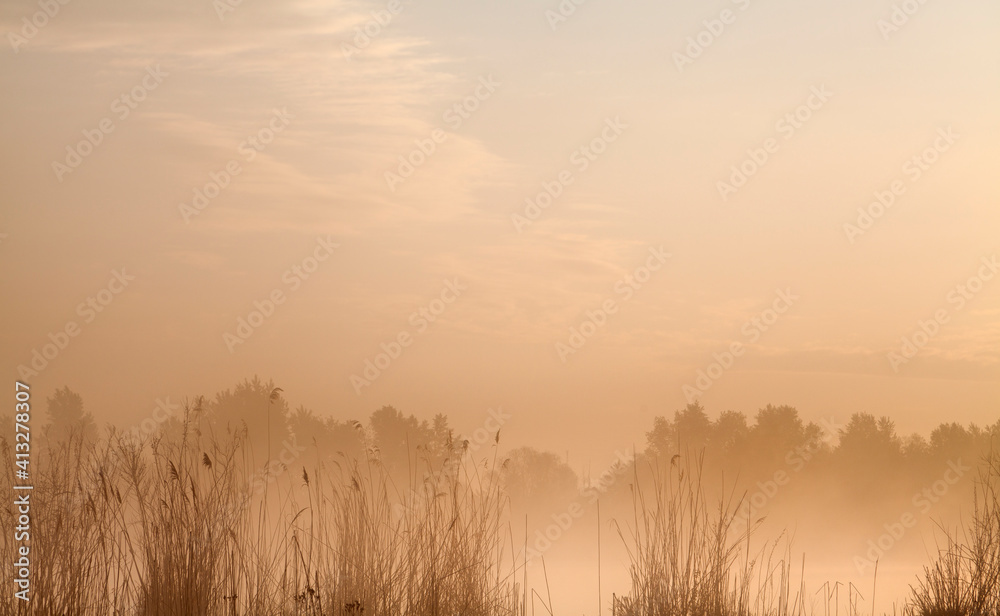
pixel 861 460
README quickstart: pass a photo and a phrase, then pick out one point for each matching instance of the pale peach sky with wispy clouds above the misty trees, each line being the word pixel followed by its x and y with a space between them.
pixel 583 213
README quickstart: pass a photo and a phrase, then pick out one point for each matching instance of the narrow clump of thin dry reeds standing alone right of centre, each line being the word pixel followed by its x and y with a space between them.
pixel 692 558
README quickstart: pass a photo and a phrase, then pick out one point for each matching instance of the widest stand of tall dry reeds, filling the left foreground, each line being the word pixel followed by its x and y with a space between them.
pixel 185 527
